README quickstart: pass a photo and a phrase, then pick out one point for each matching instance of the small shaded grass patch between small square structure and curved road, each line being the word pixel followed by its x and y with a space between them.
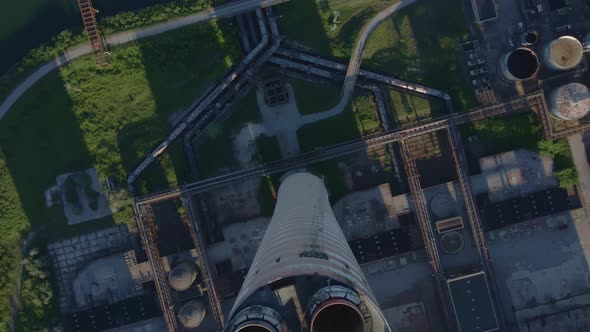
pixel 314 97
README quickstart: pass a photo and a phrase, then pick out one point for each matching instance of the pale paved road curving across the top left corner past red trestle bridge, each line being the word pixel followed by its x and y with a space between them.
pixel 229 10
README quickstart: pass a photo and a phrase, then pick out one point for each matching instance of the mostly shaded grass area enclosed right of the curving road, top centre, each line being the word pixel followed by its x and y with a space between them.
pixel 426 48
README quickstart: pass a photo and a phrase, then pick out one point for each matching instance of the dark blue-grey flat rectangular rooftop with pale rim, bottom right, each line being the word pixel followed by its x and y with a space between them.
pixel 472 303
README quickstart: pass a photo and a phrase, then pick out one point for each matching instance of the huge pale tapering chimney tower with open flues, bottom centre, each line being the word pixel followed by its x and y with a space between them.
pixel 304 276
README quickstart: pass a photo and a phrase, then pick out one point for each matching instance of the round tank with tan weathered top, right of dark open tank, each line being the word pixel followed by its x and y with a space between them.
pixel 563 53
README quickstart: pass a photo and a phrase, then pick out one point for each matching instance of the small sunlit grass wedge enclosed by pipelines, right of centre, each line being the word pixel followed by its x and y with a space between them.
pixel 407 108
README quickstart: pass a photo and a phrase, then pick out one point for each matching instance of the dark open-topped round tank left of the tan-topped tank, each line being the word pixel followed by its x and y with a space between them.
pixel 520 64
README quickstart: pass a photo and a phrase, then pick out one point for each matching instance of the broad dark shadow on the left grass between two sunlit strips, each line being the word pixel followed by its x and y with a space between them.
pixel 40 139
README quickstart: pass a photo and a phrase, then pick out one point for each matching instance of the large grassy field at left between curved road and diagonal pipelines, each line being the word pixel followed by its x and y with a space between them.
pixel 105 118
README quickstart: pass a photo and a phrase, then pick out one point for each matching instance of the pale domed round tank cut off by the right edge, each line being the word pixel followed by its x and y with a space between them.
pixel 570 101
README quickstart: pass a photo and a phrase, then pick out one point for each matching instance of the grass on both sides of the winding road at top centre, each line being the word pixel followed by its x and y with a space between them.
pixel 418 44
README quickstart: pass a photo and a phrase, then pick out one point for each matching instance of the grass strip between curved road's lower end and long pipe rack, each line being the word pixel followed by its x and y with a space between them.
pixel 359 118
